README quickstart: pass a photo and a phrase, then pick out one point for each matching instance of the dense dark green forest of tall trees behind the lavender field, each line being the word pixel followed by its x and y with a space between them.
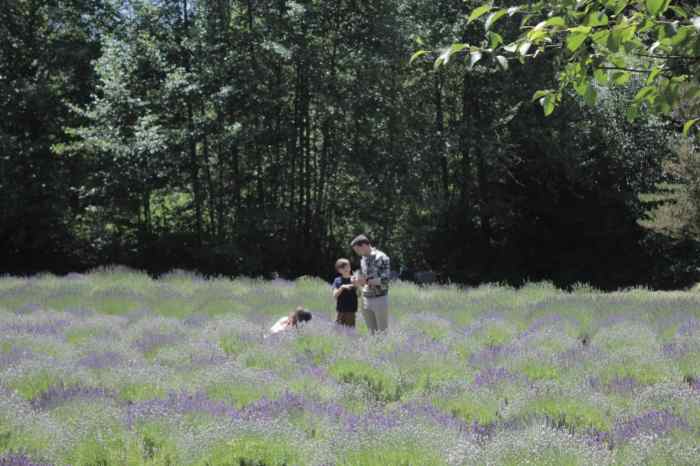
pixel 253 137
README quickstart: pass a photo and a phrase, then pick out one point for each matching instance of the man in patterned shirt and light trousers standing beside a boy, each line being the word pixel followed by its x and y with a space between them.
pixel 374 281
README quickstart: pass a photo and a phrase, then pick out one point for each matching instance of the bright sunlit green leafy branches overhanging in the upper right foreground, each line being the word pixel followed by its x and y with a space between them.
pixel 599 42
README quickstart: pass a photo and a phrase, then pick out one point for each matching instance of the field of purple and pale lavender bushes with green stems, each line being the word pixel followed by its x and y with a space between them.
pixel 116 368
